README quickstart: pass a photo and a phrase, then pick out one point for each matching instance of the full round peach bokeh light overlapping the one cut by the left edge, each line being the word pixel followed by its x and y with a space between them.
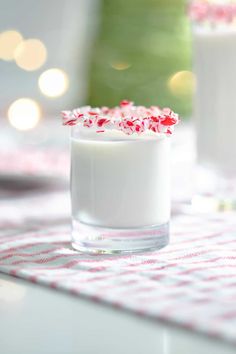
pixel 30 54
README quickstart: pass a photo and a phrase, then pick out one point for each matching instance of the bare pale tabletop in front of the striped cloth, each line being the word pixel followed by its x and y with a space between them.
pixel 35 319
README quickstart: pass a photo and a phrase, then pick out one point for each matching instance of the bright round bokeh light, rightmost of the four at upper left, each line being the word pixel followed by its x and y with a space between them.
pixel 53 82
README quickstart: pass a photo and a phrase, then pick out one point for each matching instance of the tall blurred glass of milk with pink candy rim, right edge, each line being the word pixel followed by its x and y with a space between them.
pixel 214 51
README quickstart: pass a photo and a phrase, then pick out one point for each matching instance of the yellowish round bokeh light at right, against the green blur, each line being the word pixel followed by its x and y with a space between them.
pixel 182 83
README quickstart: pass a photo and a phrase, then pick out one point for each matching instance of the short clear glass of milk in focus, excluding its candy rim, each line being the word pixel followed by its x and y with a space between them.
pixel 120 192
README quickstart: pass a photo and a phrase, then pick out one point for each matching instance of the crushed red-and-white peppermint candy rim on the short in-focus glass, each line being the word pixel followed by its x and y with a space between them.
pixel 128 118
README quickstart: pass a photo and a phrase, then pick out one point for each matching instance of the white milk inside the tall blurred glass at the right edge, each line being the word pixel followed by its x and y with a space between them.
pixel 214 60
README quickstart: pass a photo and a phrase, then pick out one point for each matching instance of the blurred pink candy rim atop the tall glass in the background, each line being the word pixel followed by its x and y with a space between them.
pixel 201 11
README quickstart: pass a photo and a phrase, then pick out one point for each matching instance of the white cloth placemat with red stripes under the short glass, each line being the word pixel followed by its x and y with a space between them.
pixel 191 283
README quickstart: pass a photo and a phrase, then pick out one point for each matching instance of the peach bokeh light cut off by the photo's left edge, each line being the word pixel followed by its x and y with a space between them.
pixel 9 40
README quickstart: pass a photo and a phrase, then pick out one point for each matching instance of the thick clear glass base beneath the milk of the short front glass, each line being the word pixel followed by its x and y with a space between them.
pixel 98 240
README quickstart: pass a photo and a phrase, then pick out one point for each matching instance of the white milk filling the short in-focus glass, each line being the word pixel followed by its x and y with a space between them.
pixel 120 181
